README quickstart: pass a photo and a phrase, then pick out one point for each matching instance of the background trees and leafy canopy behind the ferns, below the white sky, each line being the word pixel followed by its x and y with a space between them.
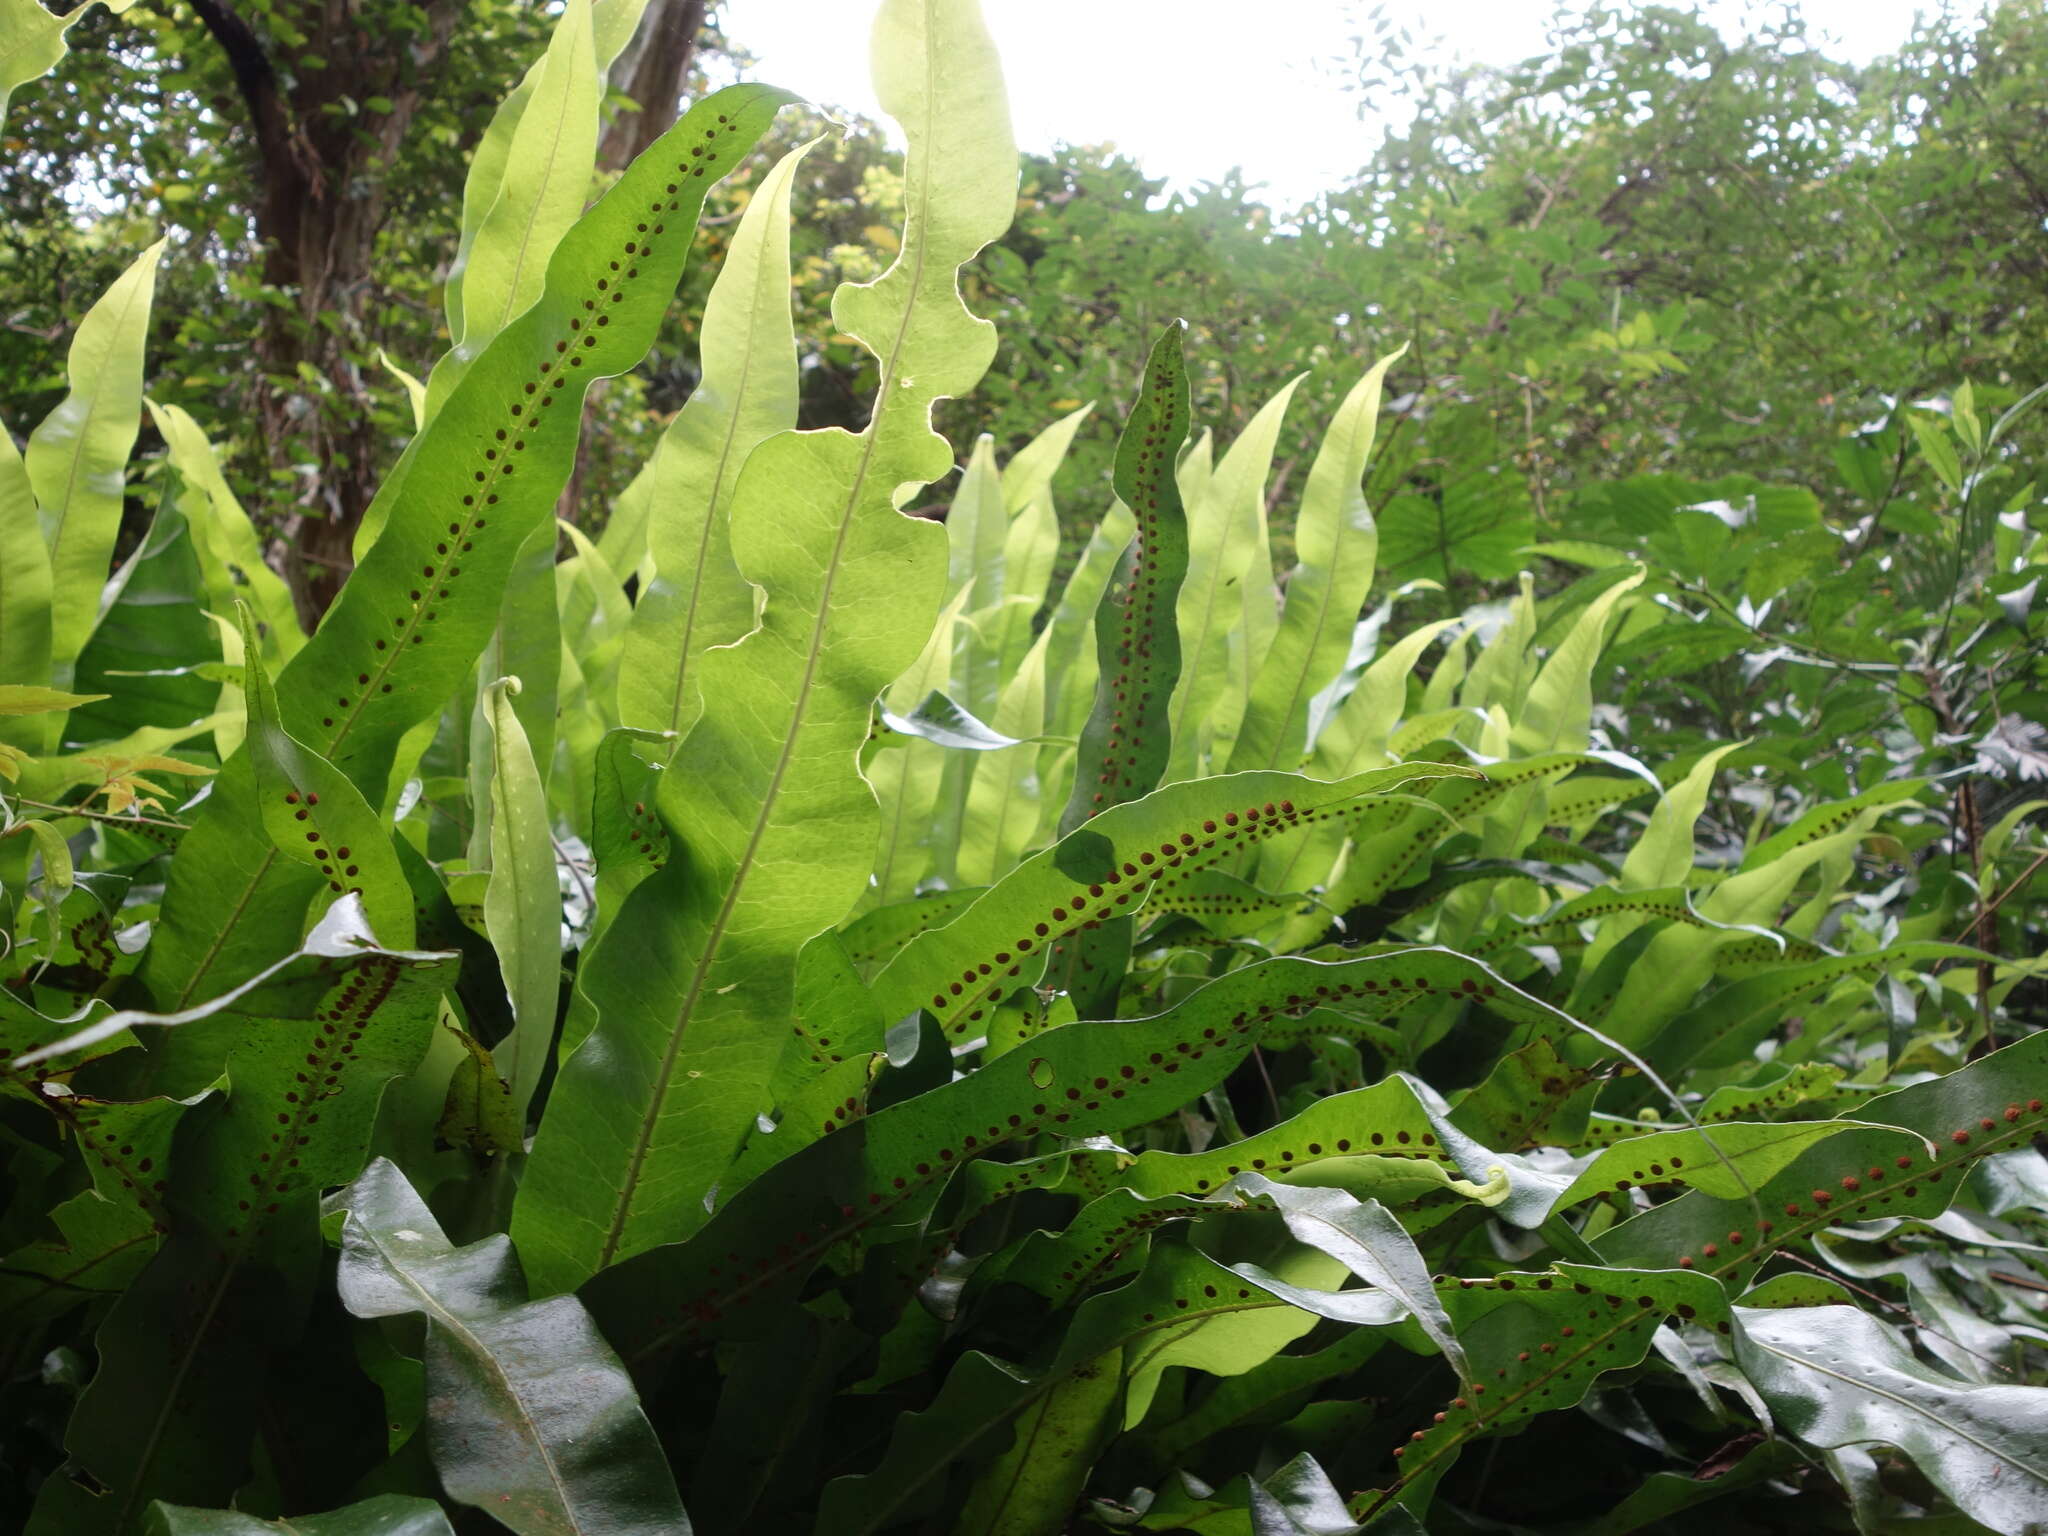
pixel 1646 251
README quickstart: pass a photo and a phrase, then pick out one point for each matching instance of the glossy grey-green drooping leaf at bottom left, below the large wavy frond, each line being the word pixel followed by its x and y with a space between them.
pixel 534 1418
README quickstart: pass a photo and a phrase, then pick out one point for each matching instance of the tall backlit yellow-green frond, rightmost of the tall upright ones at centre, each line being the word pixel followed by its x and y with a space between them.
pixel 1326 593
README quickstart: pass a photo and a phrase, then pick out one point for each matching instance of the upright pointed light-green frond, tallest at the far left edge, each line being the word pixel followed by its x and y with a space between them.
pixel 79 456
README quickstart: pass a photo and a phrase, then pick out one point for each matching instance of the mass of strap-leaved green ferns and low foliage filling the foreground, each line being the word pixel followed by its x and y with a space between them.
pixel 798 1013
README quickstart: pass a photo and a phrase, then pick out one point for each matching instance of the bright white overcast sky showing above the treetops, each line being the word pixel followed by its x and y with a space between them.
pixel 1230 83
